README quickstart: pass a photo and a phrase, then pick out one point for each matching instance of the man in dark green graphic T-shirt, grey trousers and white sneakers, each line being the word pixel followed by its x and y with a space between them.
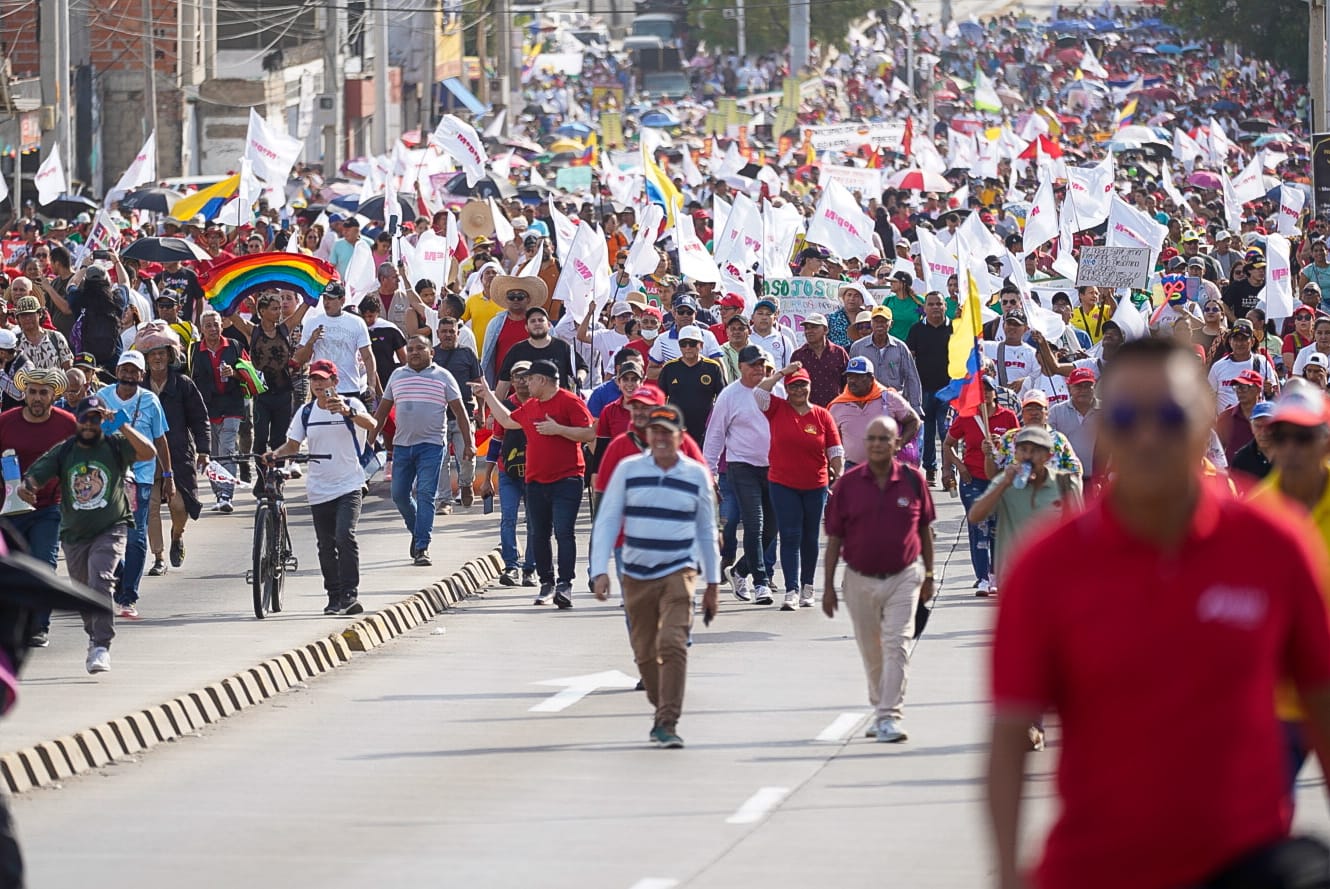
pixel 95 513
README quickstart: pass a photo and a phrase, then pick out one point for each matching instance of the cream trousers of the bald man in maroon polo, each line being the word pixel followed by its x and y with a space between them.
pixel 882 613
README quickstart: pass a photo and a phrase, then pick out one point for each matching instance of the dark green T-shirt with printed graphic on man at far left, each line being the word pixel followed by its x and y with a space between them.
pixel 92 485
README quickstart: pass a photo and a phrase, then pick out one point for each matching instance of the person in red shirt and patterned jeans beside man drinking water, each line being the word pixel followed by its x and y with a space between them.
pixel 974 480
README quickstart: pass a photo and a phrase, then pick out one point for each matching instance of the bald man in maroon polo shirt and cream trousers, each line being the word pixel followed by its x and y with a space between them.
pixel 878 518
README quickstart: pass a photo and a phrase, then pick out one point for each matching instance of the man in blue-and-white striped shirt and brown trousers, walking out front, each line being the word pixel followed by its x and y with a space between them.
pixel 662 502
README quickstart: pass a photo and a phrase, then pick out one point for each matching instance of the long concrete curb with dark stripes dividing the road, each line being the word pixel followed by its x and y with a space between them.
pixel 55 761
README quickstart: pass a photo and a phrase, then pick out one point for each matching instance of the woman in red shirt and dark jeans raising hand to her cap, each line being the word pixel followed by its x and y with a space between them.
pixel 805 458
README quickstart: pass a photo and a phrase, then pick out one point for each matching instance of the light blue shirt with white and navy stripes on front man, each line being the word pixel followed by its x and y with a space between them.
pixel 667 517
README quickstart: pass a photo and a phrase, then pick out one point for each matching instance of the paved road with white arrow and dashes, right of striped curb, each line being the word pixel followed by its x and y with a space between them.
pixel 424 765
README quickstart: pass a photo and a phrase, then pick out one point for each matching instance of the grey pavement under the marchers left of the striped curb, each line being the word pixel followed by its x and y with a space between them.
pixel 199 623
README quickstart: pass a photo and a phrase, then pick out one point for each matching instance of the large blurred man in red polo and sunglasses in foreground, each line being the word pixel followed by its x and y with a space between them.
pixel 1138 617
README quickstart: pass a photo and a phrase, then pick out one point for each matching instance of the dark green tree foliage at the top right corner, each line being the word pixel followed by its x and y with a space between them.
pixel 1271 30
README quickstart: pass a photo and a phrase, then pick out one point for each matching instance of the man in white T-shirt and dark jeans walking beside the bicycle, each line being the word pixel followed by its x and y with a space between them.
pixel 337 427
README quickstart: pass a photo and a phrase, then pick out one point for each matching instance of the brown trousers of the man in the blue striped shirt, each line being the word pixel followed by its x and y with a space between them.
pixel 660 614
